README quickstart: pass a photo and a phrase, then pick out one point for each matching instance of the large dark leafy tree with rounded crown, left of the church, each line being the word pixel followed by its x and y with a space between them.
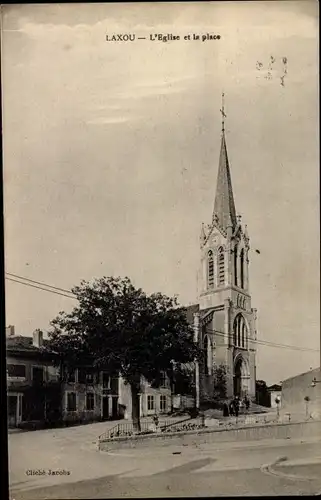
pixel 119 328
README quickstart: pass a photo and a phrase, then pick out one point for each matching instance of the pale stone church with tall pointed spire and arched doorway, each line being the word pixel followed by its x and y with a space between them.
pixel 224 320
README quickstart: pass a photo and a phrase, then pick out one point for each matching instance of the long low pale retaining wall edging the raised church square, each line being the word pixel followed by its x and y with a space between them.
pixel 248 433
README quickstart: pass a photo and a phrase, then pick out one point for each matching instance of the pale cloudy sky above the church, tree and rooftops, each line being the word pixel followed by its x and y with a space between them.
pixel 111 155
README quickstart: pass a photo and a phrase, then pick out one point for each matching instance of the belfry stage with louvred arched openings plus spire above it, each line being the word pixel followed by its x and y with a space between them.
pixel 224 243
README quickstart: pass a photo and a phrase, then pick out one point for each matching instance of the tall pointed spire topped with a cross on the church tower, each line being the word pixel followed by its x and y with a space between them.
pixel 224 207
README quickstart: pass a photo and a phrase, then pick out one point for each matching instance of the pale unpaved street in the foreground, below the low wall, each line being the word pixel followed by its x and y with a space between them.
pixel 250 468
